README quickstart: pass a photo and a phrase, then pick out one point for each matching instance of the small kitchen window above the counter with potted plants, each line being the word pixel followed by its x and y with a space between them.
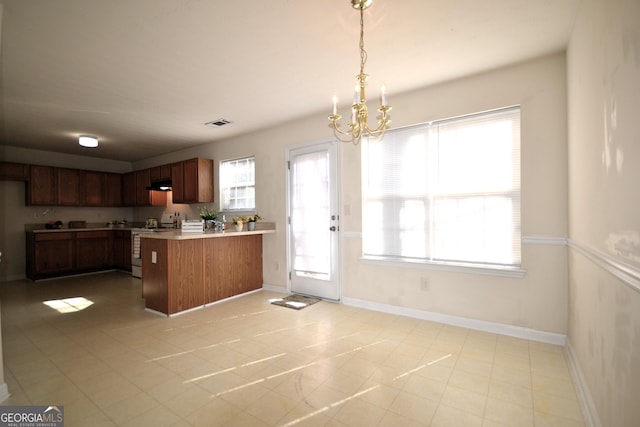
pixel 238 184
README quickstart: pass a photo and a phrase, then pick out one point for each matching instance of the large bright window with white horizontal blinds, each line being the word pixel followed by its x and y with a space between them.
pixel 445 192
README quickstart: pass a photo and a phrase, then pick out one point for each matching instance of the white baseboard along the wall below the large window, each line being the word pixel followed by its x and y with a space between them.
pixel 480 325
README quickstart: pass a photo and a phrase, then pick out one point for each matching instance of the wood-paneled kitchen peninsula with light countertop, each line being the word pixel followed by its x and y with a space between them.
pixel 185 270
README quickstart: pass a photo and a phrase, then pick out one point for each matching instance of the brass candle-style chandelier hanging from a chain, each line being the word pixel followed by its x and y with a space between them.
pixel 359 125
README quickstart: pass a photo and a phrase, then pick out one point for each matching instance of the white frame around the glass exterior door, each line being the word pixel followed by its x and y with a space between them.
pixel 338 197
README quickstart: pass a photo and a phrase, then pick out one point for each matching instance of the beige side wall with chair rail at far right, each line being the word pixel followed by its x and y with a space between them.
pixel 604 153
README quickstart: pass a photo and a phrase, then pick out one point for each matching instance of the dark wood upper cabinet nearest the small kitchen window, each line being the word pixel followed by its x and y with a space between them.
pixel 192 181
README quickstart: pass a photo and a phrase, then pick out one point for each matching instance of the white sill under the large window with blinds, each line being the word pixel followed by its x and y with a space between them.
pixel 518 273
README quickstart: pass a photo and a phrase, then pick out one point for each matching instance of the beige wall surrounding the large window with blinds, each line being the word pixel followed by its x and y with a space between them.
pixel 539 300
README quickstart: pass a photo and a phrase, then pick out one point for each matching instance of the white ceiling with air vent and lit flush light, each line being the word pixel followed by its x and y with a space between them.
pixel 145 75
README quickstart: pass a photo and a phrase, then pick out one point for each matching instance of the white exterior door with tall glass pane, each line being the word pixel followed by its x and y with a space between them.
pixel 314 243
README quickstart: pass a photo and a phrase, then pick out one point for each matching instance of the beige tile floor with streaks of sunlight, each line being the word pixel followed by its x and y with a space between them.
pixel 245 362
